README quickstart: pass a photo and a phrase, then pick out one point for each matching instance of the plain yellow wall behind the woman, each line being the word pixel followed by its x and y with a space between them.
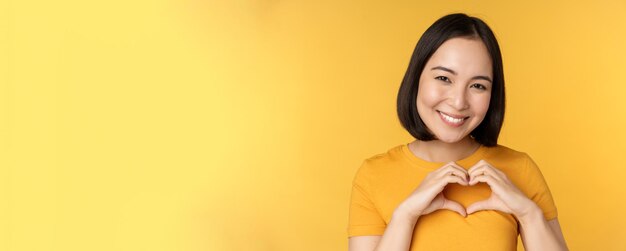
pixel 239 125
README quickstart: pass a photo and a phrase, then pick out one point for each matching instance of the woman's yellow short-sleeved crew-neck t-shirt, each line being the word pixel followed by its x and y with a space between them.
pixel 385 180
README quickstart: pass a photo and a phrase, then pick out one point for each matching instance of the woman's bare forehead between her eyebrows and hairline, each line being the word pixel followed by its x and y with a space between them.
pixel 466 56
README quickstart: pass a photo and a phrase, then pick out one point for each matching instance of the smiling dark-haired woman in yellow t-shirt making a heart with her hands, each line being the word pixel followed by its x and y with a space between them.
pixel 454 187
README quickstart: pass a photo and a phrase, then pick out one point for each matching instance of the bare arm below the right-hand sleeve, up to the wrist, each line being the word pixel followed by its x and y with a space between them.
pixel 539 234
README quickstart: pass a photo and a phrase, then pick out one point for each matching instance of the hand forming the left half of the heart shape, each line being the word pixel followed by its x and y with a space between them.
pixel 428 196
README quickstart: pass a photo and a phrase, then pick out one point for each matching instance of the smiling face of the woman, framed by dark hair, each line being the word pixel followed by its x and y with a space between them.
pixel 455 89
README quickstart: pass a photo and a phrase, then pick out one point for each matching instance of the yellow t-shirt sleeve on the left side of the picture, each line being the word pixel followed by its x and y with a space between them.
pixel 364 218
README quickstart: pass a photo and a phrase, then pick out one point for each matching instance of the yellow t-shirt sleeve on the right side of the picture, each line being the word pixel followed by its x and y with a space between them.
pixel 538 190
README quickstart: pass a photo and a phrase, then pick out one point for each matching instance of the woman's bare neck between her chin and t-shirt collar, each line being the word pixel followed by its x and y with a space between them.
pixel 439 151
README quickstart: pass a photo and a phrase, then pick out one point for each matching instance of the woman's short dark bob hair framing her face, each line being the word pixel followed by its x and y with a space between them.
pixel 447 27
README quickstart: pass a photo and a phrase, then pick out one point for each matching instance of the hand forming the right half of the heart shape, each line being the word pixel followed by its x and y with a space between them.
pixel 505 196
